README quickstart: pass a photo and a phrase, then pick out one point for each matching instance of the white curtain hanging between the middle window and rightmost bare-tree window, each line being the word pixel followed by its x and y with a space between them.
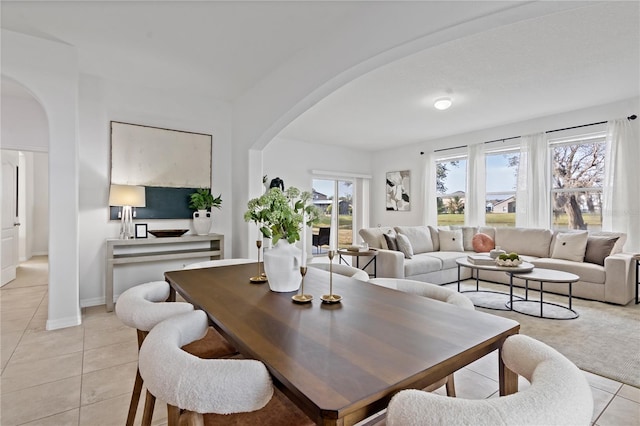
pixel 533 196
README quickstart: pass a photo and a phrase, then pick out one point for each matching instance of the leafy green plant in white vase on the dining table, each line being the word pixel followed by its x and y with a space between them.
pixel 280 215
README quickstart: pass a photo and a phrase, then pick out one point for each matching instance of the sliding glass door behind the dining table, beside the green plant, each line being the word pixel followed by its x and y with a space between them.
pixel 334 199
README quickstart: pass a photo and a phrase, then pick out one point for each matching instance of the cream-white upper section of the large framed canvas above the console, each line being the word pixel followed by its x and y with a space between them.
pixel 152 156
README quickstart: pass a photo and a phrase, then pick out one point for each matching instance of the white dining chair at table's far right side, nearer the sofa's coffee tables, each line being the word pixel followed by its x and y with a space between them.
pixel 432 291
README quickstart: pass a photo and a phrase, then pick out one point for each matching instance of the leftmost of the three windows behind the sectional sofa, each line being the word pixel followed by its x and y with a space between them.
pixel 451 185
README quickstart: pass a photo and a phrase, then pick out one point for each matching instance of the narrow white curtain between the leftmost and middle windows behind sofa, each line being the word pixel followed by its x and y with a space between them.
pixel 475 196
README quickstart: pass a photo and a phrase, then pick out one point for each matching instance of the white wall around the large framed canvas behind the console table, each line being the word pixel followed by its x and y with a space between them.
pixel 103 101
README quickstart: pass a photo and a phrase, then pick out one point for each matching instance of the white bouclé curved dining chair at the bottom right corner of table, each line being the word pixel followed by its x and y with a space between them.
pixel 559 395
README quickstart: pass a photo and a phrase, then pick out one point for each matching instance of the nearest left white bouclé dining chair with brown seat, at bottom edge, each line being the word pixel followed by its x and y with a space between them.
pixel 210 391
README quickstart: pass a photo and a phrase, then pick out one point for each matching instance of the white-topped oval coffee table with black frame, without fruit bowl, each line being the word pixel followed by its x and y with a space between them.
pixel 545 276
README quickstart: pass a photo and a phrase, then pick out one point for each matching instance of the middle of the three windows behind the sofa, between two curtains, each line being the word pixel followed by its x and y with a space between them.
pixel 501 182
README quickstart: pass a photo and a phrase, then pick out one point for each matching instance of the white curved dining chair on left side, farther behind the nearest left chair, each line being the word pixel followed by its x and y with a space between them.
pixel 142 307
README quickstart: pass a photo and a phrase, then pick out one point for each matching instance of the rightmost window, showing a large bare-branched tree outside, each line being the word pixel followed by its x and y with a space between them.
pixel 577 176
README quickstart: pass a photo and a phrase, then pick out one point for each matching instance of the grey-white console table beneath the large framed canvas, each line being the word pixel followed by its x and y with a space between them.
pixel 121 252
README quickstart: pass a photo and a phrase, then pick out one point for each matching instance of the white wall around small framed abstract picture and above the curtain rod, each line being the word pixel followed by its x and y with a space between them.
pixel 409 157
